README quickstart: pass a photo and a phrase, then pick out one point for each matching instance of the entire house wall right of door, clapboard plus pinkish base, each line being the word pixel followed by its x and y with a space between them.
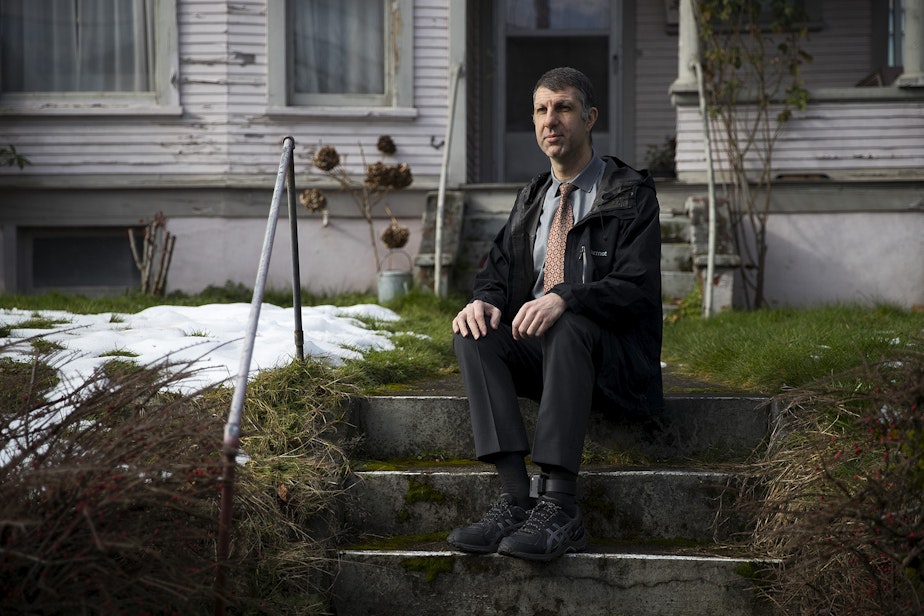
pixel 846 221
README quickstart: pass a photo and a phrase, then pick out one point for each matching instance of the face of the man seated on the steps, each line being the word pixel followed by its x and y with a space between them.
pixel 560 131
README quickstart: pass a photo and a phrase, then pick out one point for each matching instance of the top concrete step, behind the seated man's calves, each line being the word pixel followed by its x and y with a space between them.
pixel 691 427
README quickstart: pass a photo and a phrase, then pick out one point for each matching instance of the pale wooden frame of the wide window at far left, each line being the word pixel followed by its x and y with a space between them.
pixel 163 99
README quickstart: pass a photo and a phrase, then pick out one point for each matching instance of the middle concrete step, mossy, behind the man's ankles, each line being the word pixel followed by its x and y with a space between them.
pixel 619 504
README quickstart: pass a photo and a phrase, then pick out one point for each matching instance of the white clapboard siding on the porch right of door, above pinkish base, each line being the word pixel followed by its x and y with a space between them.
pixel 847 132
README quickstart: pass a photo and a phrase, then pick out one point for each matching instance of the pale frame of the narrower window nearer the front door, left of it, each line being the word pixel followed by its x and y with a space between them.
pixel 397 99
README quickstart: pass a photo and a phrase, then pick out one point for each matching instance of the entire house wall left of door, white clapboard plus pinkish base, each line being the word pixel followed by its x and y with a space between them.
pixel 211 164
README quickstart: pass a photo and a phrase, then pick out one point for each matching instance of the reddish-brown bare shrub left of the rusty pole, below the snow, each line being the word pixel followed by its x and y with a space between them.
pixel 107 496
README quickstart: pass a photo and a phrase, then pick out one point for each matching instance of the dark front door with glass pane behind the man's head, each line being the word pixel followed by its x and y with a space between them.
pixel 534 36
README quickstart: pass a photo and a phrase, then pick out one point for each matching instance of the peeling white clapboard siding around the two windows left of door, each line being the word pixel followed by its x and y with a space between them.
pixel 224 131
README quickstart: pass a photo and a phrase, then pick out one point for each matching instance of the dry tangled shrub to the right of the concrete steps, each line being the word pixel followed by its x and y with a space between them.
pixel 843 500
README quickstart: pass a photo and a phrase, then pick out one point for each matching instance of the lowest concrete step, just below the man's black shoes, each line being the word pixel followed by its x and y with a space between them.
pixel 594 583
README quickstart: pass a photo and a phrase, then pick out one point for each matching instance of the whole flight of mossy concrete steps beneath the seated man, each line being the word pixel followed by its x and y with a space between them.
pixel 654 530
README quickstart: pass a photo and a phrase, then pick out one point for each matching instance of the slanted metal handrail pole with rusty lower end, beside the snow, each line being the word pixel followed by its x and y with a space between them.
pixel 232 433
